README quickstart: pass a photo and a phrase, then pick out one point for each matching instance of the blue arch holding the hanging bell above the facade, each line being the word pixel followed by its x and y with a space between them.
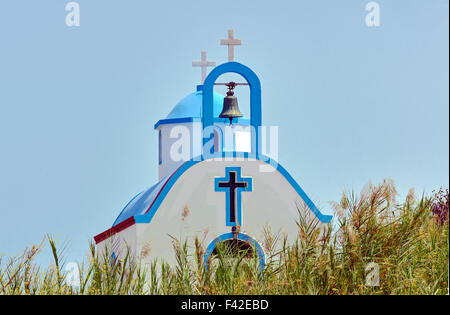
pixel 255 100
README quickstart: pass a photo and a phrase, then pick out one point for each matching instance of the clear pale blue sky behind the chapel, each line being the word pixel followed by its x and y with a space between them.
pixel 78 105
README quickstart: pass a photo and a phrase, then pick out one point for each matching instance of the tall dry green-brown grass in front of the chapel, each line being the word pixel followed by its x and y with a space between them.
pixel 408 241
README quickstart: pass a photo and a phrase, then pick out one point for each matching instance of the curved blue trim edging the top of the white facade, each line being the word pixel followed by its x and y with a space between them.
pixel 146 218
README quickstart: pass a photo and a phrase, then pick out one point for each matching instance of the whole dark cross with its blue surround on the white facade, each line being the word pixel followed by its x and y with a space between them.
pixel 233 184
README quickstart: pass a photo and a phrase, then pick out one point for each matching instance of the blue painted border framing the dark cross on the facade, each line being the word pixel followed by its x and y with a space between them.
pixel 249 187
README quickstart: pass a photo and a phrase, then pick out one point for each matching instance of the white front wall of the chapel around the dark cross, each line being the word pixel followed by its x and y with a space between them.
pixel 273 202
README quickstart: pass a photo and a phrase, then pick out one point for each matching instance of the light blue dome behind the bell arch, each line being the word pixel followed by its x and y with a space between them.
pixel 191 106
